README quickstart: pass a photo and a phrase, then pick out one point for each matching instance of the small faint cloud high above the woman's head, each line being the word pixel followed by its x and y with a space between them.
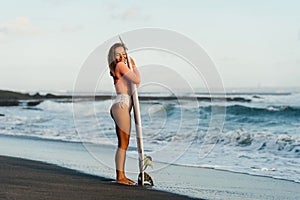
pixel 130 14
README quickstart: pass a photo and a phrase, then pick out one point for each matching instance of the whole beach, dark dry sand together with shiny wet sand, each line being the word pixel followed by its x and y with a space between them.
pixel 24 179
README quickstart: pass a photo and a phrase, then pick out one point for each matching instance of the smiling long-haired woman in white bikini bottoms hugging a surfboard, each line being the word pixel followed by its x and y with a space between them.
pixel 120 110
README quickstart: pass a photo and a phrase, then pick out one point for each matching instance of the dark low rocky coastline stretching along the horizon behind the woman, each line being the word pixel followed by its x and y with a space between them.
pixel 15 98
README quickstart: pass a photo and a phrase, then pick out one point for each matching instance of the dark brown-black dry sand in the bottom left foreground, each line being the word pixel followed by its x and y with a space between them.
pixel 29 179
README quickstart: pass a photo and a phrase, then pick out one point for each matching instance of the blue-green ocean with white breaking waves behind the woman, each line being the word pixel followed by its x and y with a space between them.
pixel 258 134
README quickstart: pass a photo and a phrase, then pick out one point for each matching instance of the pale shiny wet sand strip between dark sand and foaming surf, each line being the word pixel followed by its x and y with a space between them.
pixel 205 183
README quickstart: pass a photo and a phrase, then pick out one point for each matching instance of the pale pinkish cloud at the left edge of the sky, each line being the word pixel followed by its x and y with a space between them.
pixel 18 26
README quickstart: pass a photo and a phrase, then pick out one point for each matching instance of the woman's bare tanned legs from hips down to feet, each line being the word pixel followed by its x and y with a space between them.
pixel 122 120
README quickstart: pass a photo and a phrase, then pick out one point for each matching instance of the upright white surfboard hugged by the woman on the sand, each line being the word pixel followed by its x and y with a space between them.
pixel 138 121
